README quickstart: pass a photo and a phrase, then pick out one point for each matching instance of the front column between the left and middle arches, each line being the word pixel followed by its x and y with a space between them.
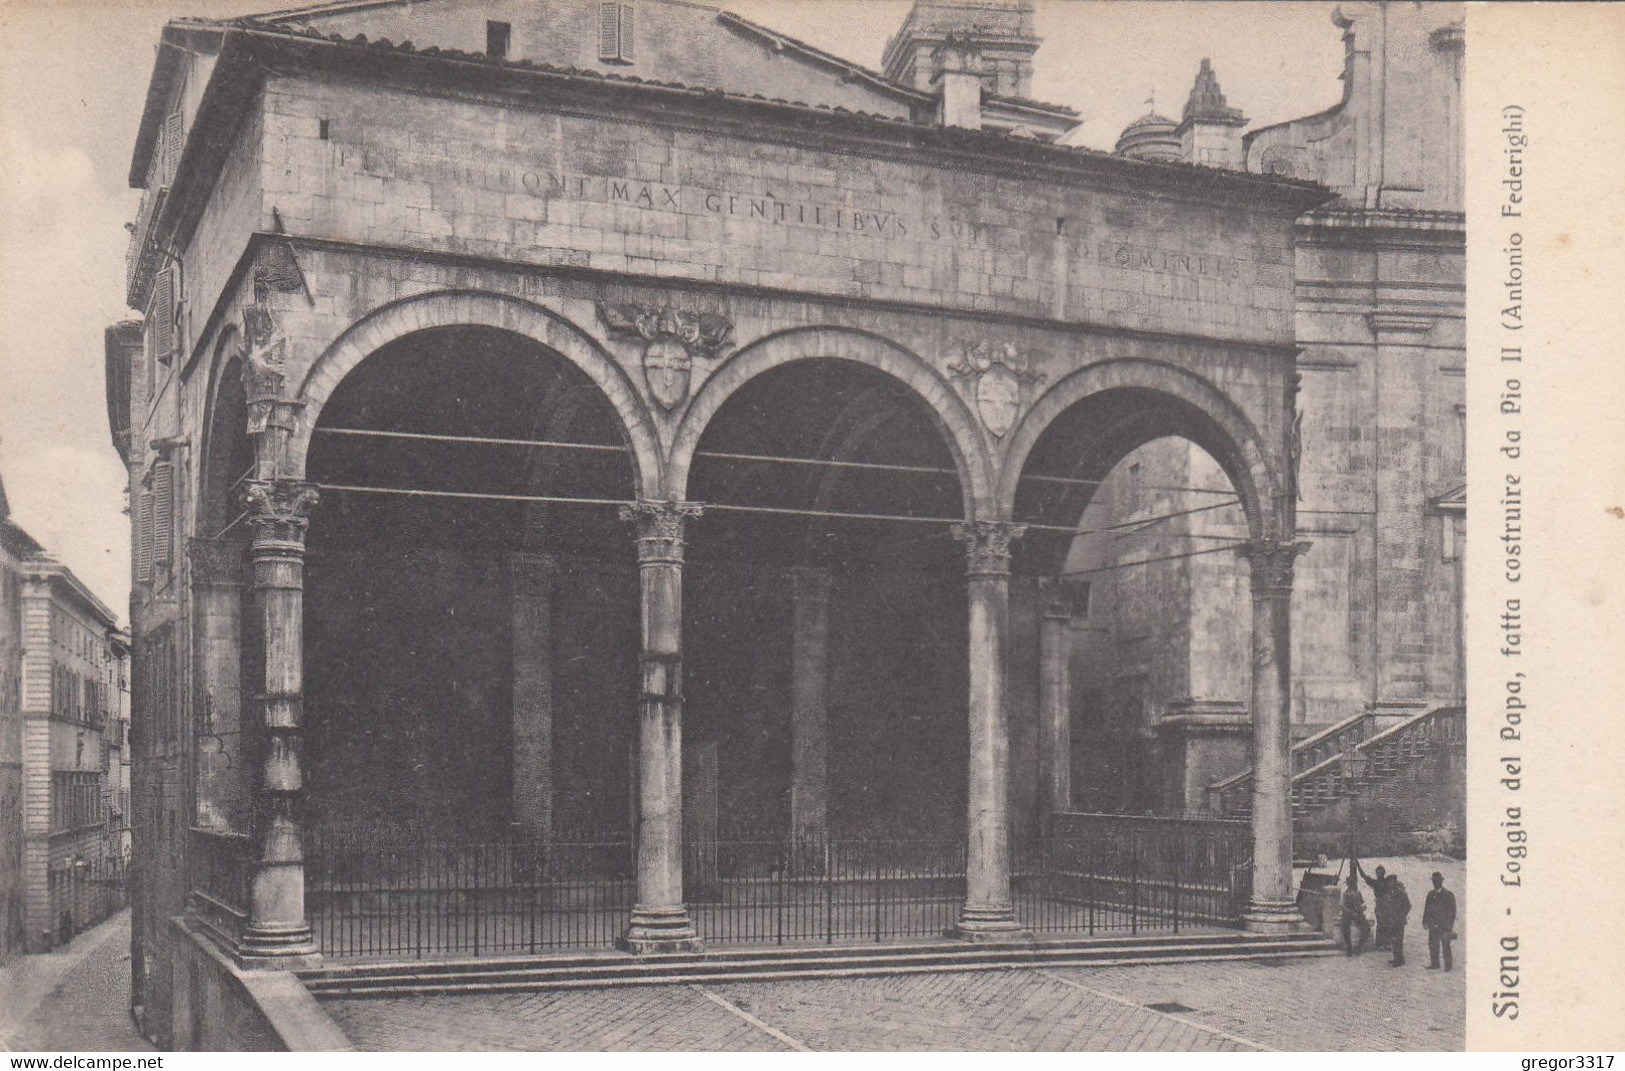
pixel 661 921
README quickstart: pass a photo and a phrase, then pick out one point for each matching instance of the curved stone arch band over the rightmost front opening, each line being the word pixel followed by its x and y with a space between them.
pixel 1216 425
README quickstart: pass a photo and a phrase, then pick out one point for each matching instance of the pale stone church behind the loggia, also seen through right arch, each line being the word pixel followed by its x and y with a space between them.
pixel 1380 449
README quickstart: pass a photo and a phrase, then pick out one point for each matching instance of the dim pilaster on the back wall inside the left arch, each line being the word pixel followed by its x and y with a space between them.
pixel 532 610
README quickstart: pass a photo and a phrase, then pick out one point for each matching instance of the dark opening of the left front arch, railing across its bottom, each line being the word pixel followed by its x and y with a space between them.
pixel 472 648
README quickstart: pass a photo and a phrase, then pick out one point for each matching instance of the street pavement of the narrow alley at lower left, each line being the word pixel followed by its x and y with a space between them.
pixel 76 999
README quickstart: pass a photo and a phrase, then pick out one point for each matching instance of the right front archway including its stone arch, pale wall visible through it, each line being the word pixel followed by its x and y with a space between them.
pixel 1132 483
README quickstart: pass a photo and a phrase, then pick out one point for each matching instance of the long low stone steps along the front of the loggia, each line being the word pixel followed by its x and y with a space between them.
pixel 769 965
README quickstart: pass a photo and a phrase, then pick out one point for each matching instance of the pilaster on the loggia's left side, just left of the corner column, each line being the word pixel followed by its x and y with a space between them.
pixel 223 789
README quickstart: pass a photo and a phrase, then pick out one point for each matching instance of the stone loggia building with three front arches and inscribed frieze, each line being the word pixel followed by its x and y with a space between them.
pixel 596 422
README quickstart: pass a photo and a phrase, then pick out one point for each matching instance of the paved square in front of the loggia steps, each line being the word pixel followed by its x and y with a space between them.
pixel 1314 1004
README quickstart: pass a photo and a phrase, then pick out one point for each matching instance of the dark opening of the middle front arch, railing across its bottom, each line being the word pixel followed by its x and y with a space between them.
pixel 826 661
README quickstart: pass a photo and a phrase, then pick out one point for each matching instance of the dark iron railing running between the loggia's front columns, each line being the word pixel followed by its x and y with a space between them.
pixel 383 896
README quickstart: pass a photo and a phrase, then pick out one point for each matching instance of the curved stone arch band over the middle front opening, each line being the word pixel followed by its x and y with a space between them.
pixel 960 428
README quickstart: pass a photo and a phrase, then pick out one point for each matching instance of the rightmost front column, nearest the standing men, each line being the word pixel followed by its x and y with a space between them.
pixel 1273 906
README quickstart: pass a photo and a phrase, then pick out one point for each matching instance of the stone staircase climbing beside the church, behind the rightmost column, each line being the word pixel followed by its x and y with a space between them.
pixel 1348 757
